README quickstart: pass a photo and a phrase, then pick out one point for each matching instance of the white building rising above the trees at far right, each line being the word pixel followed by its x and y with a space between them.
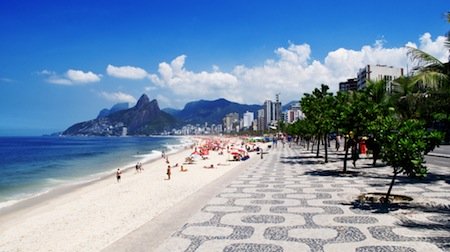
pixel 377 73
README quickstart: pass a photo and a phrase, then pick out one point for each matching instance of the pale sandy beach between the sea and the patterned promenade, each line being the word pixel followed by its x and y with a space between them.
pixel 93 216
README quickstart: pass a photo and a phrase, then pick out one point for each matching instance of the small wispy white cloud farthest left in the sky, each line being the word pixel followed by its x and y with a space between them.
pixel 71 77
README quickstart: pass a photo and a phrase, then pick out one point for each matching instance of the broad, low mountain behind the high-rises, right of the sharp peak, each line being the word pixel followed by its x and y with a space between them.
pixel 211 111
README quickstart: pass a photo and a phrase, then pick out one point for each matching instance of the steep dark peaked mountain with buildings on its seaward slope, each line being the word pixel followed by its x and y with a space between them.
pixel 143 119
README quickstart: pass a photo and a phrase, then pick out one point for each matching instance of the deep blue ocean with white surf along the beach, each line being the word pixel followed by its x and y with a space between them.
pixel 30 166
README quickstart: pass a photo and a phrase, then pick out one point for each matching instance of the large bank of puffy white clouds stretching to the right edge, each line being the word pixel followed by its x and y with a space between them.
pixel 291 73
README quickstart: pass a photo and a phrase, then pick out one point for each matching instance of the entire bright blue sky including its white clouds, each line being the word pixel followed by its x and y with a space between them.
pixel 61 62
